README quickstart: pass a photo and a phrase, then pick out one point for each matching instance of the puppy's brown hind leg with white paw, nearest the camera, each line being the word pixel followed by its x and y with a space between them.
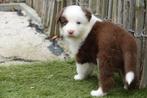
pixel 105 75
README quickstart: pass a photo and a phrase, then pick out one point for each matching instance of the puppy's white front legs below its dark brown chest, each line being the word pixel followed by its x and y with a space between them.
pixel 83 70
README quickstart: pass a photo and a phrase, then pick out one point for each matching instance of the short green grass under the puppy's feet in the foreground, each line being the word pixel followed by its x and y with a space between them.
pixel 53 80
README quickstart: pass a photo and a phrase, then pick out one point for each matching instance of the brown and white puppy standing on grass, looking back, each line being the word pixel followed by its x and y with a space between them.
pixel 96 42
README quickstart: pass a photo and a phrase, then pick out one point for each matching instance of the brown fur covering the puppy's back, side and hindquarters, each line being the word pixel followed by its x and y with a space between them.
pixel 115 49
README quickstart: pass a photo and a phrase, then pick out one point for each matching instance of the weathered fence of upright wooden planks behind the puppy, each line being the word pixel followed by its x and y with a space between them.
pixel 131 14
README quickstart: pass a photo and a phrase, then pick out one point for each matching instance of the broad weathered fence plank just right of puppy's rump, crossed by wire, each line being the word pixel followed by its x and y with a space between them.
pixel 139 24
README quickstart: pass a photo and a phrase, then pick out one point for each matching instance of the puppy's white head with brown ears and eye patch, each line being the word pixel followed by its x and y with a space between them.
pixel 74 21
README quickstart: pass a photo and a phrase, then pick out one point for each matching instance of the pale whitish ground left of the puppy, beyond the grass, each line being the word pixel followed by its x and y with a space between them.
pixel 19 40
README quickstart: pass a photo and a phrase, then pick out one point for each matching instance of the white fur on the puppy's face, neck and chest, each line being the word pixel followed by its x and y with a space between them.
pixel 73 14
